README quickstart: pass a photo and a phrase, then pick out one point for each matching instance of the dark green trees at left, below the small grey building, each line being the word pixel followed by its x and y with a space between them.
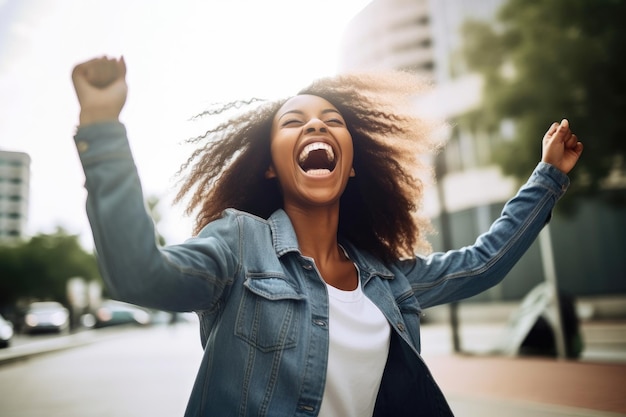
pixel 41 267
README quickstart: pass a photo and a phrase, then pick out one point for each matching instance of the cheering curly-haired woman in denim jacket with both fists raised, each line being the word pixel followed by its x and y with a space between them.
pixel 302 268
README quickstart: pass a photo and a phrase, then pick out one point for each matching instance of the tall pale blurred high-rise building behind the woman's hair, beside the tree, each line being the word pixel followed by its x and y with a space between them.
pixel 424 37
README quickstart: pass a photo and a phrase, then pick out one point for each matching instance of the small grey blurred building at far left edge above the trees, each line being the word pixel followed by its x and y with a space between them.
pixel 14 193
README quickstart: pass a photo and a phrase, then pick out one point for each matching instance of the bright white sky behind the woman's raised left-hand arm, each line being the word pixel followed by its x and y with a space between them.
pixel 181 55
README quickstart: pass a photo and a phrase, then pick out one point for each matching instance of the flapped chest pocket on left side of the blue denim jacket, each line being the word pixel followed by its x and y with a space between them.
pixel 269 313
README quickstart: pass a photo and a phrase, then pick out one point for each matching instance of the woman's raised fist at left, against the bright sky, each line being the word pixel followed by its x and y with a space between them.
pixel 100 85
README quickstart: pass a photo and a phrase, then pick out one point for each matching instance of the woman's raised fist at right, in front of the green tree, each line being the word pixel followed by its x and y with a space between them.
pixel 561 147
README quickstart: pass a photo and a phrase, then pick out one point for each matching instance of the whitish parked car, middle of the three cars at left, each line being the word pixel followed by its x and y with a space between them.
pixel 46 316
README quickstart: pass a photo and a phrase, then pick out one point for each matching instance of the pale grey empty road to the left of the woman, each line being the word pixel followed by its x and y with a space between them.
pixel 143 372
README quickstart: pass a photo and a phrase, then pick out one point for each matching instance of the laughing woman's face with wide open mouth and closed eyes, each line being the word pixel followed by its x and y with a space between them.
pixel 312 152
